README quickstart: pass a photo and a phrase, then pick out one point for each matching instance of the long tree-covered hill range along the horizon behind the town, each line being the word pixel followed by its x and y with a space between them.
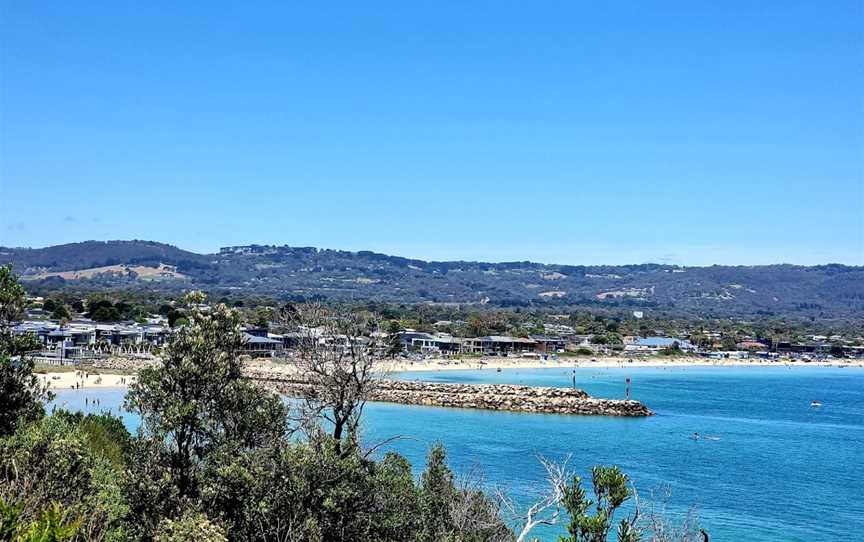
pixel 303 273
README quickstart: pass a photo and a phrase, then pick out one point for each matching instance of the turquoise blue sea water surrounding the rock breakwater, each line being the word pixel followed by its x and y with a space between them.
pixel 779 471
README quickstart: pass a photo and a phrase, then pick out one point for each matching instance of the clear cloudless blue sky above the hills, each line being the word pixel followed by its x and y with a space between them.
pixel 691 132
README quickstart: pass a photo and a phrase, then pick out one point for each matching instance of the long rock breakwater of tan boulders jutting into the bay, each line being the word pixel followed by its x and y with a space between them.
pixel 481 396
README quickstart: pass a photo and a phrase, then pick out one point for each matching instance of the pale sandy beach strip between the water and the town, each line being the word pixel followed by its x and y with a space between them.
pixel 67 380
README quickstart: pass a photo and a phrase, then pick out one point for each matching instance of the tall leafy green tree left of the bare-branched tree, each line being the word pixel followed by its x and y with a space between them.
pixel 196 402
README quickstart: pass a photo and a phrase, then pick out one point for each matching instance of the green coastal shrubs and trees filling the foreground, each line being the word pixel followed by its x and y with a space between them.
pixel 218 458
